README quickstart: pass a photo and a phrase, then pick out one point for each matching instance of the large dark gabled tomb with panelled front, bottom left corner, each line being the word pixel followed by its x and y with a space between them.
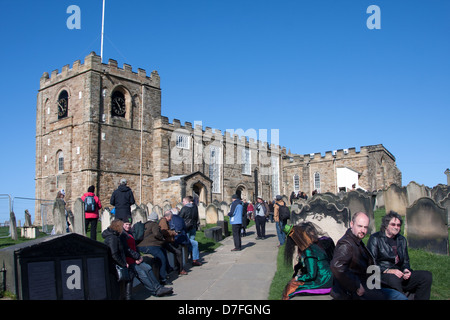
pixel 58 267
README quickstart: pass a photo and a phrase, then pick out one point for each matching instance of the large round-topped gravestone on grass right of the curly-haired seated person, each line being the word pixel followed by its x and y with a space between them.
pixel 427 226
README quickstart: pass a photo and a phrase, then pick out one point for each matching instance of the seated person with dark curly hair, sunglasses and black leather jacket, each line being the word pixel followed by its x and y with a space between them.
pixel 390 250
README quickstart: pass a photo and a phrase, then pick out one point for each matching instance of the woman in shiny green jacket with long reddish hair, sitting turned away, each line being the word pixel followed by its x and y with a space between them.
pixel 312 273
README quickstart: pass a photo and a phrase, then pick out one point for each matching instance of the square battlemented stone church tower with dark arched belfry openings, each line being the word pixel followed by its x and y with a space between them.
pixel 93 127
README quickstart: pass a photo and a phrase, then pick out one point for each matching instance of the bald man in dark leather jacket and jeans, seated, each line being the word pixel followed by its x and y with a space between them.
pixel 350 264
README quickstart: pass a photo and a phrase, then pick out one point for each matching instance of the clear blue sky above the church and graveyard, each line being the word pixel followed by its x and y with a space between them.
pixel 311 69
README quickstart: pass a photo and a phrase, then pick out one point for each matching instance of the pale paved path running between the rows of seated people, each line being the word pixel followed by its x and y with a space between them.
pixel 226 274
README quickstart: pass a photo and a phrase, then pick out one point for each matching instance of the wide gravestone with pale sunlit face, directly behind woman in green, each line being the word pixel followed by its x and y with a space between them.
pixel 327 216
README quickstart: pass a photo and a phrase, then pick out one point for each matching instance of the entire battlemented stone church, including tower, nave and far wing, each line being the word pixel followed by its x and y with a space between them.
pixel 97 123
